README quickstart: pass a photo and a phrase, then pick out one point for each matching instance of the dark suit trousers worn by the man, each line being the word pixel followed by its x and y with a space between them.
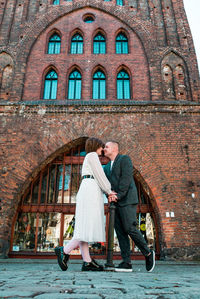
pixel 125 226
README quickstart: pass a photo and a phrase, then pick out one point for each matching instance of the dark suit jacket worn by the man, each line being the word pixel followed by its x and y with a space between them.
pixel 121 179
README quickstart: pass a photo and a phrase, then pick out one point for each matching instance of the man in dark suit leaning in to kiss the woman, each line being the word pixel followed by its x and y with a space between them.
pixel 119 172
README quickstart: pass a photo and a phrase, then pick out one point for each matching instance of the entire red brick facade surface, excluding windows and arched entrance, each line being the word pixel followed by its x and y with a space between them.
pixel 158 127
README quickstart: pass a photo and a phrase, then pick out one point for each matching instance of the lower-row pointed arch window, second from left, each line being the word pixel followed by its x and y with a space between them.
pixel 74 85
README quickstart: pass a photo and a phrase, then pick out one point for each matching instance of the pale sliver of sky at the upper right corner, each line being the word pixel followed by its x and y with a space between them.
pixel 192 8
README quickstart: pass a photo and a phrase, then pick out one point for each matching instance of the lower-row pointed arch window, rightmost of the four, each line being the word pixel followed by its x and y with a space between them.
pixel 123 85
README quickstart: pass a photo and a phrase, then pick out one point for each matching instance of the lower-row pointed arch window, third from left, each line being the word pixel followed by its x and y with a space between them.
pixel 99 85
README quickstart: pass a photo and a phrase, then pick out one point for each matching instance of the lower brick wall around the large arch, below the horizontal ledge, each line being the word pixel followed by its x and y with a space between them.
pixel 163 145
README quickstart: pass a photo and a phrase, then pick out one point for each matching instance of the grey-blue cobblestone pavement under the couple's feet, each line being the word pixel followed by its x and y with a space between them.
pixel 43 279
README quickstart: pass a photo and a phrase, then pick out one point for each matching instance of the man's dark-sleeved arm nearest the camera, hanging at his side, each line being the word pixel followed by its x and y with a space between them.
pixel 125 178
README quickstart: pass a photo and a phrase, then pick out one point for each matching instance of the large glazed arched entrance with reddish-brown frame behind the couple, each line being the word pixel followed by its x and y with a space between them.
pixel 45 216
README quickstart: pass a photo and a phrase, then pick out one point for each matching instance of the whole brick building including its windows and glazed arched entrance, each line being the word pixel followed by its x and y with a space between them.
pixel 120 70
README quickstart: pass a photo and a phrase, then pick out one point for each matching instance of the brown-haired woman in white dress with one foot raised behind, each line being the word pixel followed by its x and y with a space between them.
pixel 89 216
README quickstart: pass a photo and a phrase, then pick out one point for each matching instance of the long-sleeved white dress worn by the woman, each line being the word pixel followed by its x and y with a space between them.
pixel 89 216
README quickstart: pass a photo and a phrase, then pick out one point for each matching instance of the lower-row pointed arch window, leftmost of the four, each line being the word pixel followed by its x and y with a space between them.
pixel 50 85
